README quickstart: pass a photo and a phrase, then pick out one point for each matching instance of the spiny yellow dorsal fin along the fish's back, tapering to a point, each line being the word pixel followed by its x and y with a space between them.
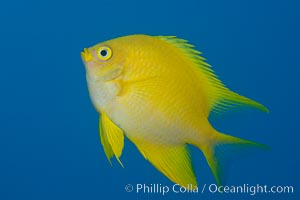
pixel 220 97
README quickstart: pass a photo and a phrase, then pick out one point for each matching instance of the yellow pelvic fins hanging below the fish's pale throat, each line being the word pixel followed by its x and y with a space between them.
pixel 112 138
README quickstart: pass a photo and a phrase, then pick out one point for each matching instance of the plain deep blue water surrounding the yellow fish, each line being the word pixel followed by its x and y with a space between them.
pixel 49 142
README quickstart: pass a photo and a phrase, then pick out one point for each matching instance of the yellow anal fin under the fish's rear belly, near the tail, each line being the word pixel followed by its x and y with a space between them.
pixel 173 161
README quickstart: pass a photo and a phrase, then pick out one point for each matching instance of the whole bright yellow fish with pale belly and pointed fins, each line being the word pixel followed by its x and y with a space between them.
pixel 158 92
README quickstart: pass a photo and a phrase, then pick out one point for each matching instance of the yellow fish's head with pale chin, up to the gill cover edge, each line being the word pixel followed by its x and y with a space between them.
pixel 104 64
